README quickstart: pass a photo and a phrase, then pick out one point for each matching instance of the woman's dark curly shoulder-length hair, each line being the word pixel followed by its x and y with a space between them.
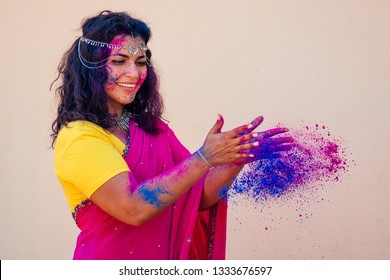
pixel 81 90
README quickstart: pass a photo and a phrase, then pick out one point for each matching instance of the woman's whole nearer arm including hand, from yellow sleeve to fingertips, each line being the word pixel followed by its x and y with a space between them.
pixel 153 196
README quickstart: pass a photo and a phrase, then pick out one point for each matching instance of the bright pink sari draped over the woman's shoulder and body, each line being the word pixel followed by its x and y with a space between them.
pixel 179 232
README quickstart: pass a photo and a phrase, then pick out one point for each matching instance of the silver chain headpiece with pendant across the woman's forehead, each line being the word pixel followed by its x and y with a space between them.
pixel 133 49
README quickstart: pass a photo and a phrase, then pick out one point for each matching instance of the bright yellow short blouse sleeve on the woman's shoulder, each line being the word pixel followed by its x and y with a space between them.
pixel 86 156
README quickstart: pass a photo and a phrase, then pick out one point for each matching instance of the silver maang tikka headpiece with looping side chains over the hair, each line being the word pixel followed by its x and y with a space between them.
pixel 89 56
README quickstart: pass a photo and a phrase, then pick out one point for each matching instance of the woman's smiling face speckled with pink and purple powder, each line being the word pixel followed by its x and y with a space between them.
pixel 127 70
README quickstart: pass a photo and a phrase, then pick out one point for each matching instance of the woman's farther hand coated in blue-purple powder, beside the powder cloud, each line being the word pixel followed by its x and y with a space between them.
pixel 269 145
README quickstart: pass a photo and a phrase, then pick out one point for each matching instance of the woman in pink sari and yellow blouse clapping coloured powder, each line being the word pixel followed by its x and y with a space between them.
pixel 134 191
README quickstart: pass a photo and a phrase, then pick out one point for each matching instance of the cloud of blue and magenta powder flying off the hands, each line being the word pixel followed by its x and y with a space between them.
pixel 317 160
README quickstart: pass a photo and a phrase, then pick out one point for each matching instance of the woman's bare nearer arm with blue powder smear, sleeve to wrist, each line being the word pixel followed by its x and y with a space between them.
pixel 151 197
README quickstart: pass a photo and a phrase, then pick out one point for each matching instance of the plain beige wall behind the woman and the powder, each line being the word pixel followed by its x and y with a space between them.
pixel 303 60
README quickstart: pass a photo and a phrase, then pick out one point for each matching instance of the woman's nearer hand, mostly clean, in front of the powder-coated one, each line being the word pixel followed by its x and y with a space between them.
pixel 226 147
